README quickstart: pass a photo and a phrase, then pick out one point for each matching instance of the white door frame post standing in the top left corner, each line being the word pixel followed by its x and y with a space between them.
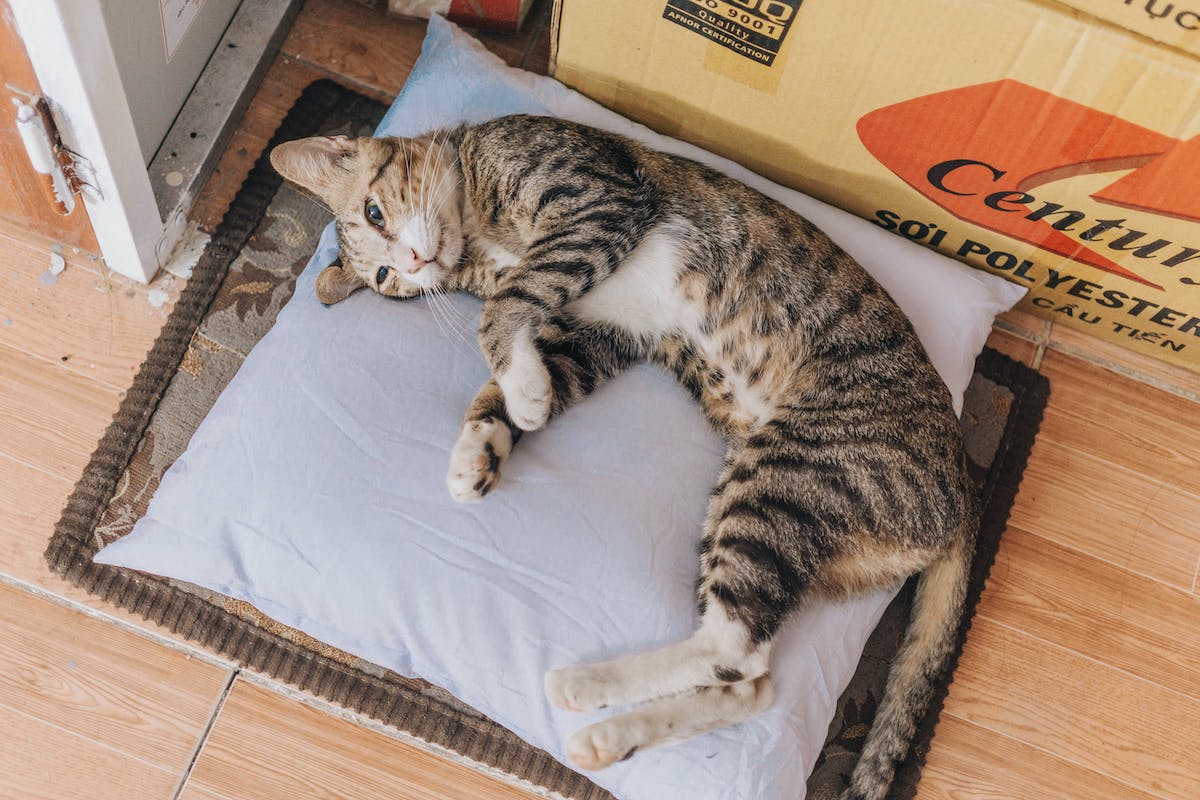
pixel 69 47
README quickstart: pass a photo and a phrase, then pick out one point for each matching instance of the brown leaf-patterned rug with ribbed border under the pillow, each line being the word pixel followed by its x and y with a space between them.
pixel 245 276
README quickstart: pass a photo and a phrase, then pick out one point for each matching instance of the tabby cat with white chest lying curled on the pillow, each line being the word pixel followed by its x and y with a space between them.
pixel 845 470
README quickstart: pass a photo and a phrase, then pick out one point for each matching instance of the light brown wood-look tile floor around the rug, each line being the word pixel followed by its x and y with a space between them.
pixel 1081 682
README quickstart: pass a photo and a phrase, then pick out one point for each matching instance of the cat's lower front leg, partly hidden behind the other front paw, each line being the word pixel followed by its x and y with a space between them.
pixel 578 359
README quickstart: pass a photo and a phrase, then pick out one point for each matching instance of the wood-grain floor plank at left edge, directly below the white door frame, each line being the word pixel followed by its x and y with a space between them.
pixel 98 326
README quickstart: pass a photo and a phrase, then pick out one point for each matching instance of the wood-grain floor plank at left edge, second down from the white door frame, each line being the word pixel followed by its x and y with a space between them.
pixel 53 417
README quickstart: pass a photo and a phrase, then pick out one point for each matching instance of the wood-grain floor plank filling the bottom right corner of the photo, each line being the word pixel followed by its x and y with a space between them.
pixel 1079 711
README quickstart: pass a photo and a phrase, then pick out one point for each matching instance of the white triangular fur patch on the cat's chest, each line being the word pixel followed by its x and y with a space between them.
pixel 644 296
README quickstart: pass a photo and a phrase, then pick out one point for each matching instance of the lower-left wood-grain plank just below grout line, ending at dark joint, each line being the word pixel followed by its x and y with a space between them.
pixel 83 676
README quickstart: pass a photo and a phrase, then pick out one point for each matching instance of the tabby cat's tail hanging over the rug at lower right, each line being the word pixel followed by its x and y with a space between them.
pixel 929 645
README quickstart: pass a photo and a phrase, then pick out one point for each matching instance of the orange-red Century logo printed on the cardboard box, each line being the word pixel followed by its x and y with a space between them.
pixel 982 152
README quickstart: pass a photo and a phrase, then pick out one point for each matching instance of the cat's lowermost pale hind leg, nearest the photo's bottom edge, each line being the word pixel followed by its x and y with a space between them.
pixel 668 721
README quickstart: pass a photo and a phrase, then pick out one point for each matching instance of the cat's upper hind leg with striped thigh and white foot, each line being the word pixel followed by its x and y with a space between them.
pixel 772 528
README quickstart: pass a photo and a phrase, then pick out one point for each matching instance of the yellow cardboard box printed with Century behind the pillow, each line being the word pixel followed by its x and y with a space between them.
pixel 1054 143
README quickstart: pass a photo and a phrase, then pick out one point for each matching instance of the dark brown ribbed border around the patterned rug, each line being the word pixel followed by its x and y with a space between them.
pixel 71 549
